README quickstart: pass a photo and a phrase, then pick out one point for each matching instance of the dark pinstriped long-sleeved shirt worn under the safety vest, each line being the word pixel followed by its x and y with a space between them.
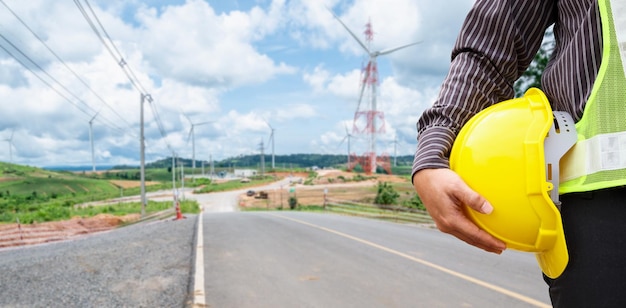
pixel 496 44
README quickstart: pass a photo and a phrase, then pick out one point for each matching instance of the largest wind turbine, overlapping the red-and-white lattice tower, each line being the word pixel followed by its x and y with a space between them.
pixel 371 79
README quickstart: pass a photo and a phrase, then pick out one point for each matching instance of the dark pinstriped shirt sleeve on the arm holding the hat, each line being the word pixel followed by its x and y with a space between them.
pixel 497 42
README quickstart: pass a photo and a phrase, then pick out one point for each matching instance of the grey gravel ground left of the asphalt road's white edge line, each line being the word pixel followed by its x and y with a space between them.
pixel 144 265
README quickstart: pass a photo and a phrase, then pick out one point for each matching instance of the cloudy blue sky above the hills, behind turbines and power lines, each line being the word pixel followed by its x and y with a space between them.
pixel 239 65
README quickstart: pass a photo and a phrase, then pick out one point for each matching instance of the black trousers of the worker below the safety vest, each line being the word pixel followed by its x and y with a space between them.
pixel 595 232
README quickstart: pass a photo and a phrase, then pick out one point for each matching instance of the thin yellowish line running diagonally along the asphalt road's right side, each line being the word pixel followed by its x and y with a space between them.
pixel 479 282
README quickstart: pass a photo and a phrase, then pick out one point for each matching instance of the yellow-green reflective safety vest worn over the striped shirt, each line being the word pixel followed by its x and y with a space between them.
pixel 598 160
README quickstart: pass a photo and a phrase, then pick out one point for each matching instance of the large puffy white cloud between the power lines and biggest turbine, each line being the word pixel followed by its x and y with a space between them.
pixel 223 55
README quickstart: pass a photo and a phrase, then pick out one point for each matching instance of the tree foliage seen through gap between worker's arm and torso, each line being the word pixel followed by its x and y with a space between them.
pixel 532 76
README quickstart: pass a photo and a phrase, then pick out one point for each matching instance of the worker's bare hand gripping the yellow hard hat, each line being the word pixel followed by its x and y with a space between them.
pixel 443 193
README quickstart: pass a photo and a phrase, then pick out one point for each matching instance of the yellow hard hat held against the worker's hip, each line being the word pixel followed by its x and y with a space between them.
pixel 509 153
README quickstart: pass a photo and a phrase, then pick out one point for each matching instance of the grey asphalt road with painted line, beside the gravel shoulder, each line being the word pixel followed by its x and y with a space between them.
pixel 293 259
